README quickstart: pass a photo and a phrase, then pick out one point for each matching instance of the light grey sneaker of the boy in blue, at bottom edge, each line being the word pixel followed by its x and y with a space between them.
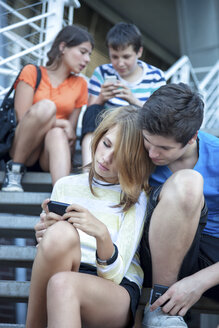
pixel 158 318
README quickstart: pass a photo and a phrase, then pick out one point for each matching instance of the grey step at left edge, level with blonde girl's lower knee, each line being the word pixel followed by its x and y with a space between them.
pixel 14 291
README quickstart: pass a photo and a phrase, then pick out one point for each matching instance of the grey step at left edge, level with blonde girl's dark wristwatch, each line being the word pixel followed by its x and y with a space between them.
pixel 18 256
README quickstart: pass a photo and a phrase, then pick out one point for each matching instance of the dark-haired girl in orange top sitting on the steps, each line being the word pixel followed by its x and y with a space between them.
pixel 47 119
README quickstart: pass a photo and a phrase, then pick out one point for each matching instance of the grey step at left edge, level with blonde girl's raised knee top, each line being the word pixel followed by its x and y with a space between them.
pixel 17 225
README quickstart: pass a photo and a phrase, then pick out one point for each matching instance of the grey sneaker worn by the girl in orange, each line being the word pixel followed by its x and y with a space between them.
pixel 13 175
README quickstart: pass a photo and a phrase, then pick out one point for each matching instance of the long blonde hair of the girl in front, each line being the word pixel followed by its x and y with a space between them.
pixel 133 163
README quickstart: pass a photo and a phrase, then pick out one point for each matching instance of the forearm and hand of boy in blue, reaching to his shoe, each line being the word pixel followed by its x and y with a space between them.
pixel 187 291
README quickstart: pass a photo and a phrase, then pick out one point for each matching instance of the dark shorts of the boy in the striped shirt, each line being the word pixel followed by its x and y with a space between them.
pixel 90 119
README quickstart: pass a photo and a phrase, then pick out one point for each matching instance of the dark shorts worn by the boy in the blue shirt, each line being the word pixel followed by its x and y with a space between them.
pixel 203 252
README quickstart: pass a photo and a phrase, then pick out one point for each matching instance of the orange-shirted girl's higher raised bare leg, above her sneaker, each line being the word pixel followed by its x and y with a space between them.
pixel 31 130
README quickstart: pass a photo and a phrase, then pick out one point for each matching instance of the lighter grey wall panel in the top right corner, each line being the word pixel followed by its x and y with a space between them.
pixel 198 24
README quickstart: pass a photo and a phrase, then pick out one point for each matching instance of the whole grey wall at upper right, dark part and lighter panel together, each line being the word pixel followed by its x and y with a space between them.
pixel 170 28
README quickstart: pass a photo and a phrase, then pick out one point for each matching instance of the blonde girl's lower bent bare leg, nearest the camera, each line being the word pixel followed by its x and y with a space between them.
pixel 75 299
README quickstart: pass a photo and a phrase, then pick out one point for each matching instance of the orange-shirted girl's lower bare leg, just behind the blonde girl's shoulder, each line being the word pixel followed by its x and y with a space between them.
pixel 56 156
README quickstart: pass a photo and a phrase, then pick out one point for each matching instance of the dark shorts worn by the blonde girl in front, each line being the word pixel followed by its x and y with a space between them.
pixel 131 287
